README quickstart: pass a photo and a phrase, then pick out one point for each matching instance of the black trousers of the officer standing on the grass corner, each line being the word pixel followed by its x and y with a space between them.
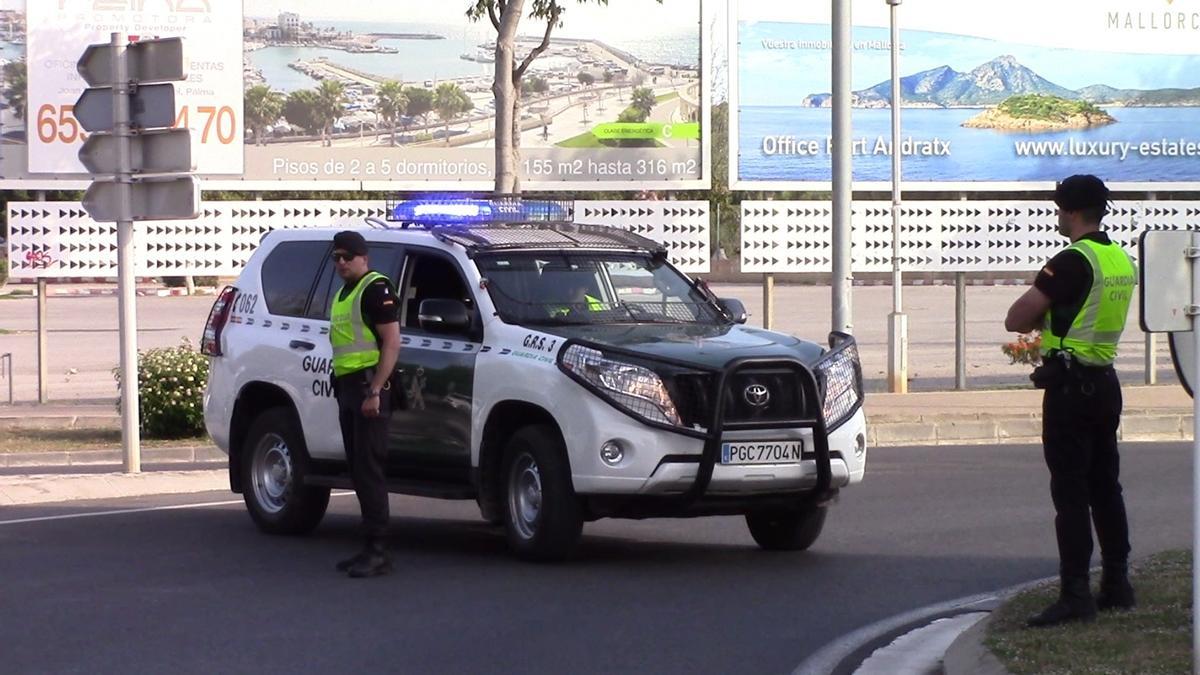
pixel 1079 438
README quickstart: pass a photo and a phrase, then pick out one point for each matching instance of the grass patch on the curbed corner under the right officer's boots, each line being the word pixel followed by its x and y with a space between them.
pixel 1154 638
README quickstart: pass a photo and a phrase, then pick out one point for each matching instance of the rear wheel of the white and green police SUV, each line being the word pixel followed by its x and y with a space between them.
pixel 275 462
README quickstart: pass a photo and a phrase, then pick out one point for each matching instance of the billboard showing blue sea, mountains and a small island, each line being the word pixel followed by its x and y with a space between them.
pixel 995 97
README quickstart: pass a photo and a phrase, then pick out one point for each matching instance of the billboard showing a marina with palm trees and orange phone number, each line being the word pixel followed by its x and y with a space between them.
pixel 386 97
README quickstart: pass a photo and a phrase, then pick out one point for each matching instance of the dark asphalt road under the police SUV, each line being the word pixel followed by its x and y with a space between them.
pixel 201 590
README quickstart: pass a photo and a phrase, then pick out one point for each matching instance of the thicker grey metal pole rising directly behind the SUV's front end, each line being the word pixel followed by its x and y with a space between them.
pixel 843 168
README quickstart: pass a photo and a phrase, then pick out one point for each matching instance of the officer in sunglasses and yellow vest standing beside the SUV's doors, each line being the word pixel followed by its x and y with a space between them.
pixel 365 336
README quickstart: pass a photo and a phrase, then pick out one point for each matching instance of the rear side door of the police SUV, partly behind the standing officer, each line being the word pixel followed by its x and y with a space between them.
pixel 319 408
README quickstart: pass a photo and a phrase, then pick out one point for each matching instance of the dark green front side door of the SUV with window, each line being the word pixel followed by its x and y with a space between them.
pixel 431 439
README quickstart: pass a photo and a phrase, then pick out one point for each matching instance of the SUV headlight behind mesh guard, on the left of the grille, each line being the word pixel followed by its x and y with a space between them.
pixel 631 387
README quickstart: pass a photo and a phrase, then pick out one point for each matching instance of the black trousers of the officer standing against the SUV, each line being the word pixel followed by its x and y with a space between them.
pixel 367 449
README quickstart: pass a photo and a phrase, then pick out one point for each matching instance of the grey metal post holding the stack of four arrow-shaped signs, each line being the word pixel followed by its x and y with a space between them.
pixel 128 306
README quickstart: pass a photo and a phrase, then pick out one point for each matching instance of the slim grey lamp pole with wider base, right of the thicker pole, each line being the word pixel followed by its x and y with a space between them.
pixel 898 324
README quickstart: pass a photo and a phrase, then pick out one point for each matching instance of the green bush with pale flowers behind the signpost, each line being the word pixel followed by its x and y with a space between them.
pixel 171 385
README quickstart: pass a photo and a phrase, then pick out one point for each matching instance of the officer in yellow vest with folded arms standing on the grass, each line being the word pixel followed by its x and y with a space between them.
pixel 1081 301
